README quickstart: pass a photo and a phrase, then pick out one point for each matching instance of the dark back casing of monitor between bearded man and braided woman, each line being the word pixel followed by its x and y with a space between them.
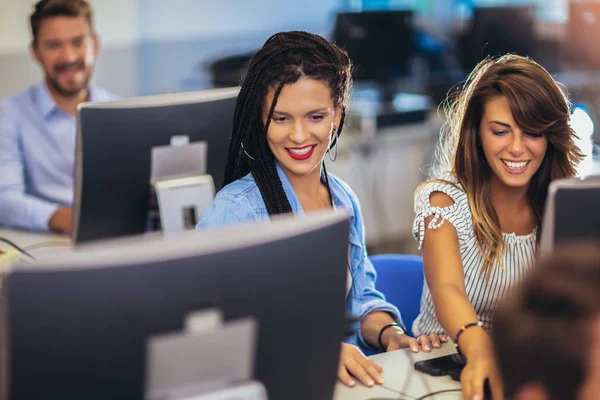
pixel 113 156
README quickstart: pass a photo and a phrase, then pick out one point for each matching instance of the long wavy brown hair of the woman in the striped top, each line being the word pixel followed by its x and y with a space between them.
pixel 538 105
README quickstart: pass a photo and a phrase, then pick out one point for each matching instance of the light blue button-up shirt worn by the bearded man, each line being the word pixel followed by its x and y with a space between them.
pixel 37 156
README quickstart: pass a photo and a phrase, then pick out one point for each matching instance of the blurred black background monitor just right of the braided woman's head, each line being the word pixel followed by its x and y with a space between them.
pixel 381 45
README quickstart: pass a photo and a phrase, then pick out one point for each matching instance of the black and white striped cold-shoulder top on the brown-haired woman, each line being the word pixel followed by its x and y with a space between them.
pixel 517 257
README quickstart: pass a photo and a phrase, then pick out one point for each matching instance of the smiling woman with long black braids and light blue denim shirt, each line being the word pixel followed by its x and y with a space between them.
pixel 290 112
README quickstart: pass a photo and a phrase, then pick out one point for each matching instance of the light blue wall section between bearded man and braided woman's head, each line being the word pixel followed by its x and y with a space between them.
pixel 179 38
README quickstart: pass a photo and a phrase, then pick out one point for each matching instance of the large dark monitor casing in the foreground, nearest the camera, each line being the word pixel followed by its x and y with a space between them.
pixel 77 325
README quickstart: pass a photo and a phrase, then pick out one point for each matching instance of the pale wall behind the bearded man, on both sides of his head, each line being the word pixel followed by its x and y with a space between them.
pixel 149 46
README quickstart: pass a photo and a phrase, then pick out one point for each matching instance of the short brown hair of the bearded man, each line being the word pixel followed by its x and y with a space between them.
pixel 58 8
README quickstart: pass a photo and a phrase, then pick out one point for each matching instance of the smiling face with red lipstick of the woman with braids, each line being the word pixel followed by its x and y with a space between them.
pixel 301 126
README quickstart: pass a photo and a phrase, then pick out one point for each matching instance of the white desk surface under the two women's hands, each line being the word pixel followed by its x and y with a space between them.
pixel 400 377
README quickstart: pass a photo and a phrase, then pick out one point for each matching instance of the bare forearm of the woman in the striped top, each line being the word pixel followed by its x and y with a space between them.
pixel 454 310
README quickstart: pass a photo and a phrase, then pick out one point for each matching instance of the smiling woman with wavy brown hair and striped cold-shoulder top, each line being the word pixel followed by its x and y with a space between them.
pixel 506 139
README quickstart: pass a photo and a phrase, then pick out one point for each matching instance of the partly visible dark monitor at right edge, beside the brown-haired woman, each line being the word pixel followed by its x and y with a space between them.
pixel 571 213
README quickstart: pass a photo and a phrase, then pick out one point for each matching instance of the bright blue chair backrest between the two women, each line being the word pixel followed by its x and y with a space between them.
pixel 400 279
